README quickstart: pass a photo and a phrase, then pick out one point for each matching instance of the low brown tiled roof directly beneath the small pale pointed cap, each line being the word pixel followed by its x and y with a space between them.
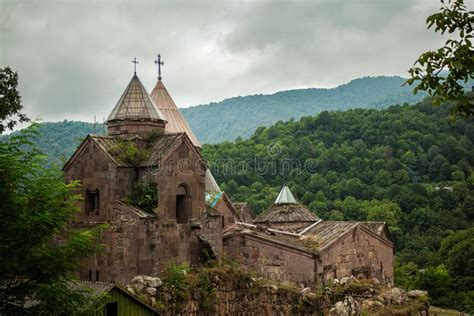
pixel 286 213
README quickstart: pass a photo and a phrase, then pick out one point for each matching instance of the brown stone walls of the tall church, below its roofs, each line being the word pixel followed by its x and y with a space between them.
pixel 136 243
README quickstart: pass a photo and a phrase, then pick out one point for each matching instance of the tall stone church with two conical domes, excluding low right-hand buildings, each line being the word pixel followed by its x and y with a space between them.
pixel 148 143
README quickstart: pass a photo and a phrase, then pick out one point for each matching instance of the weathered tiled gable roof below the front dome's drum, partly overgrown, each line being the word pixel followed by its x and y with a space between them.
pixel 160 147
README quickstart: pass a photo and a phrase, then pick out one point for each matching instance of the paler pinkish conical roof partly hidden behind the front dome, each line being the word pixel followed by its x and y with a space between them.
pixel 166 105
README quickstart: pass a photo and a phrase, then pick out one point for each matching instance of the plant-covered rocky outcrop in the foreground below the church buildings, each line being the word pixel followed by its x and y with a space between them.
pixel 228 291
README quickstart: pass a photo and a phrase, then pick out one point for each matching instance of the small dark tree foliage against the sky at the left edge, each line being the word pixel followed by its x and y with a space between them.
pixel 10 100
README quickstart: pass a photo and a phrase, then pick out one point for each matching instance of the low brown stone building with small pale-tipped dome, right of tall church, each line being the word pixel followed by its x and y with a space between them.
pixel 289 243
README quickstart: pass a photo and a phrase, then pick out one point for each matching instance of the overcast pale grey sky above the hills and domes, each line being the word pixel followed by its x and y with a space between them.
pixel 74 57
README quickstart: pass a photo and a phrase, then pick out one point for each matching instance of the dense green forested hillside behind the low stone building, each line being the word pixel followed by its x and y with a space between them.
pixel 406 165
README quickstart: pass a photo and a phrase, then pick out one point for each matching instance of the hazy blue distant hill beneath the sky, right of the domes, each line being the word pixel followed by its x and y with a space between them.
pixel 240 116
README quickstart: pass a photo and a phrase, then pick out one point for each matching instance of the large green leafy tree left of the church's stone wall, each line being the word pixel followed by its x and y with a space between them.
pixel 39 250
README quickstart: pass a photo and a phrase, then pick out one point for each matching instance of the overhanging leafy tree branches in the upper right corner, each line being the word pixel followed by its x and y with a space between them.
pixel 456 57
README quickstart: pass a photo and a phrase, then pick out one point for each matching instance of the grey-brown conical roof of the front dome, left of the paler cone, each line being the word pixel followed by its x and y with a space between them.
pixel 135 104
